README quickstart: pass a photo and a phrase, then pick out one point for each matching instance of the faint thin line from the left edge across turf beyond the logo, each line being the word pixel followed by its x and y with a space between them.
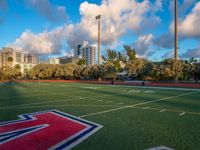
pixel 53 101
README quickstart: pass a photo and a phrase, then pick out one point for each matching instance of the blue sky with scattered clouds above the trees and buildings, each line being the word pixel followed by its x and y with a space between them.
pixel 54 27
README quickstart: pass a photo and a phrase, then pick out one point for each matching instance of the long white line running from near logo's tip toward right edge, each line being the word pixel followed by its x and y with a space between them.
pixel 138 104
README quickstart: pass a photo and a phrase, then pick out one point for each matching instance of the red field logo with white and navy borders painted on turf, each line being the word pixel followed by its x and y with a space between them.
pixel 45 130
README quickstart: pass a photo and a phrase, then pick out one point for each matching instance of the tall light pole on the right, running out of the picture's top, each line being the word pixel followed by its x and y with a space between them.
pixel 176 31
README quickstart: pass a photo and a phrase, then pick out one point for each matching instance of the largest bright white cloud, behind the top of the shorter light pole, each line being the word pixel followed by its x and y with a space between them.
pixel 118 17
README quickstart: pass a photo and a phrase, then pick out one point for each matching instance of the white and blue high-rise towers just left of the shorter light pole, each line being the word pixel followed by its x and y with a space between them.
pixel 87 51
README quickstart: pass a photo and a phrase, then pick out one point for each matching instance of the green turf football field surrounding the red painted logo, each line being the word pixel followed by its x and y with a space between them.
pixel 133 118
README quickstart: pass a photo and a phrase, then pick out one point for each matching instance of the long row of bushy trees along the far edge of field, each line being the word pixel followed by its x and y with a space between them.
pixel 115 66
